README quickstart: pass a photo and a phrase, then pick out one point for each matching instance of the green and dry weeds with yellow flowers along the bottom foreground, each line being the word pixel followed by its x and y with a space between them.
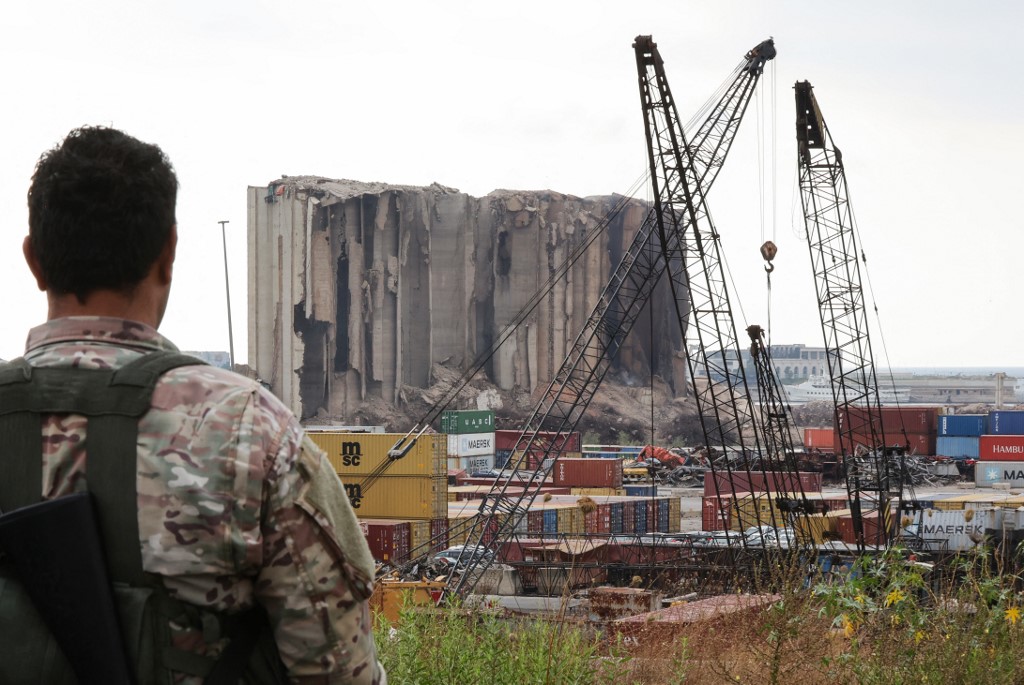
pixel 890 622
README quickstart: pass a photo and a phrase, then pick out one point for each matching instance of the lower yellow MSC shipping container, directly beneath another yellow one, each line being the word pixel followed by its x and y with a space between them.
pixel 400 497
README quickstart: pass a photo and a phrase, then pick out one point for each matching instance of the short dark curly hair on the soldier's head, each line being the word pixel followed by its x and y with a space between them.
pixel 101 211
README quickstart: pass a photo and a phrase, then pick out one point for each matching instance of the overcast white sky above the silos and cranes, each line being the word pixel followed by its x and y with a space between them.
pixel 924 98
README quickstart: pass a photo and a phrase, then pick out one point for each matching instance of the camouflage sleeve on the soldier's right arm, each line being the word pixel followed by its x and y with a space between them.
pixel 318 573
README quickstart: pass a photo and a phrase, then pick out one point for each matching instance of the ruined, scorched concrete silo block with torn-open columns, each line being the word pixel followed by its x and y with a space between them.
pixel 358 289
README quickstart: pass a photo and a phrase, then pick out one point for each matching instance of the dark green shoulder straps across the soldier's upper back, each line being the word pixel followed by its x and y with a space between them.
pixel 114 401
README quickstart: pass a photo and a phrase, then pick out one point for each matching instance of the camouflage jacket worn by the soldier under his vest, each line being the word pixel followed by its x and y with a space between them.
pixel 236 505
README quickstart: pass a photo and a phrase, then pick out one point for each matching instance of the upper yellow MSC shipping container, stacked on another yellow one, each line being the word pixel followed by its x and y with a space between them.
pixel 362 454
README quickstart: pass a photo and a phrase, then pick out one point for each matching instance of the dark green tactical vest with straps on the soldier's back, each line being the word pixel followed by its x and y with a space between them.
pixel 114 402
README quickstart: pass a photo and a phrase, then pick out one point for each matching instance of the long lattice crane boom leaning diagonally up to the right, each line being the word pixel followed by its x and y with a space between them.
pixel 622 302
